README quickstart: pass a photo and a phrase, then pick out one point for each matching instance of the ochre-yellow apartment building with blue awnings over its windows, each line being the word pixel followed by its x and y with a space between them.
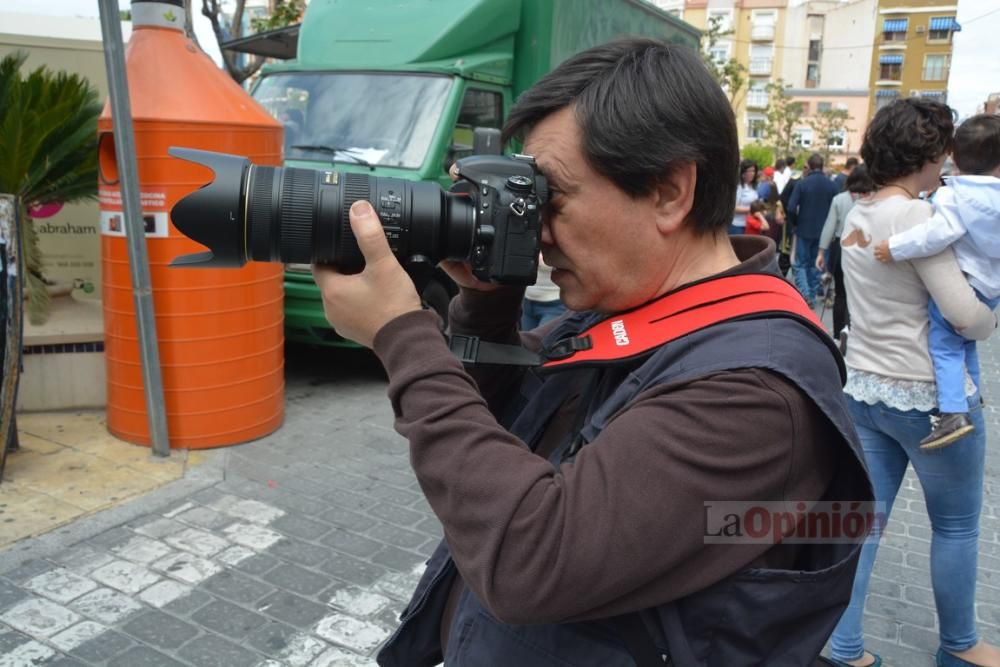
pixel 913 50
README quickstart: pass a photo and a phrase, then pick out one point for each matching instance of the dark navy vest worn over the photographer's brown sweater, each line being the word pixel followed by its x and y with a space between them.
pixel 753 617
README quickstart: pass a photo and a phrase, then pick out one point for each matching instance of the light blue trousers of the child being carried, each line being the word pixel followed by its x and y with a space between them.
pixel 952 353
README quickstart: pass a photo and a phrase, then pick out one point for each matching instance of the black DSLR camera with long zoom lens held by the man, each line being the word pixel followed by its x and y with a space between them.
pixel 490 218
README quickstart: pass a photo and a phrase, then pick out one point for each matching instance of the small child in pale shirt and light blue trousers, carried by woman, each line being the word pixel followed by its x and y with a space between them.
pixel 966 217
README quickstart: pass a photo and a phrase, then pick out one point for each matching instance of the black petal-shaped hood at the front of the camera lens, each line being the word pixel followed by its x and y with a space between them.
pixel 214 215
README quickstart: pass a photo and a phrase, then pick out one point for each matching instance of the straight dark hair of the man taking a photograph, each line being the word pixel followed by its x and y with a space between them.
pixel 644 107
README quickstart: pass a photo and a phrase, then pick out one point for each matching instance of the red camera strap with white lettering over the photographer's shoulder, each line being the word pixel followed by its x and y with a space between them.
pixel 679 313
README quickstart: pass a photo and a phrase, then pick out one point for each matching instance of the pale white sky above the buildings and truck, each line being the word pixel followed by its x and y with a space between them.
pixel 975 65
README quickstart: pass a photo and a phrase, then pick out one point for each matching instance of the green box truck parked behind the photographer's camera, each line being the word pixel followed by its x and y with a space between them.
pixel 405 88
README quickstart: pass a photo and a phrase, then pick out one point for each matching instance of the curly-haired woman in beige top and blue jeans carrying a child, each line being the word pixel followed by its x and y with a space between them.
pixel 890 387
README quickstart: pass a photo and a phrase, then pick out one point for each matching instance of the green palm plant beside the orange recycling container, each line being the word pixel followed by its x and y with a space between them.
pixel 48 152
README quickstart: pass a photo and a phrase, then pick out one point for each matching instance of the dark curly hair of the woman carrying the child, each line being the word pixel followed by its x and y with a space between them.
pixel 906 135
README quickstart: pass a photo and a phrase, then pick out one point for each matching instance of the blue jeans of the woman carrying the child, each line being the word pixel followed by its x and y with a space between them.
pixel 952 480
